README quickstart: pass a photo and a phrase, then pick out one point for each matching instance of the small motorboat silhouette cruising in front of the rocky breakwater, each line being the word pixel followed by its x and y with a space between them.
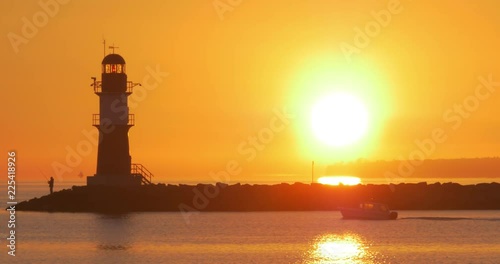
pixel 368 211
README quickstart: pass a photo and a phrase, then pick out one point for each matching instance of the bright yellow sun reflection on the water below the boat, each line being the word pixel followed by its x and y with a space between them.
pixel 346 248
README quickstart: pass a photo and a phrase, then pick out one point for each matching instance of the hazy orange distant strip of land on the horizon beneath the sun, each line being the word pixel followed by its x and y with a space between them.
pixel 438 168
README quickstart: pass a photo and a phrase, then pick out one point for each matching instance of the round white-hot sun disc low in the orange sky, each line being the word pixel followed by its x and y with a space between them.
pixel 339 119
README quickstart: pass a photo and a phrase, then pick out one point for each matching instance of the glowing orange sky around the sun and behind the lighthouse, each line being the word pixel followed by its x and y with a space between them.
pixel 230 69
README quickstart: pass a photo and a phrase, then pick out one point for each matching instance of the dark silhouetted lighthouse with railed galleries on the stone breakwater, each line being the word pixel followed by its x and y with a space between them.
pixel 114 163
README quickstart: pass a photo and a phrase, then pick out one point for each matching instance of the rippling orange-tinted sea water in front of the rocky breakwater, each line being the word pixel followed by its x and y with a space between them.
pixel 246 237
